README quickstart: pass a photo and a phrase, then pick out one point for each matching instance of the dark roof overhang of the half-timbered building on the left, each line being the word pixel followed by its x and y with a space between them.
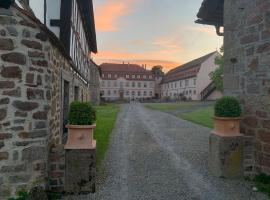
pixel 86 7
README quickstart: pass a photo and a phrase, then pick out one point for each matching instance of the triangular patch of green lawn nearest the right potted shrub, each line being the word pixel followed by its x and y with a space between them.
pixel 202 116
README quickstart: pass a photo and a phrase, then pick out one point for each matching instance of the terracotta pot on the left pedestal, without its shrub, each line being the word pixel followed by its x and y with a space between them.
pixel 80 137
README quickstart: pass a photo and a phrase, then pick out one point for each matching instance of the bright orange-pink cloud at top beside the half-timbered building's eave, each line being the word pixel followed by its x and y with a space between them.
pixel 109 13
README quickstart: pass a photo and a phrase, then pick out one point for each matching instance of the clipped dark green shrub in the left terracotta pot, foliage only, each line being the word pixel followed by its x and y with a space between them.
pixel 81 113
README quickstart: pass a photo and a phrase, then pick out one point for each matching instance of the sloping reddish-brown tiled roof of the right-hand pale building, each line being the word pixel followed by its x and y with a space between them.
pixel 187 70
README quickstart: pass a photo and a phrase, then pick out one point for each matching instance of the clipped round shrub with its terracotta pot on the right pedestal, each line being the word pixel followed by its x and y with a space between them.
pixel 227 117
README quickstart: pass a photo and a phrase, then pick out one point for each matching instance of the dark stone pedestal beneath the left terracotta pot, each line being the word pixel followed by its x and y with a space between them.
pixel 80 170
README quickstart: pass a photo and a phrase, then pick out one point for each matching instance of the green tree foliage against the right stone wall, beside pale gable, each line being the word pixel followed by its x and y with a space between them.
pixel 217 75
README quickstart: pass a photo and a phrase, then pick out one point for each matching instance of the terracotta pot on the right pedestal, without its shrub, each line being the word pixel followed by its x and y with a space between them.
pixel 224 126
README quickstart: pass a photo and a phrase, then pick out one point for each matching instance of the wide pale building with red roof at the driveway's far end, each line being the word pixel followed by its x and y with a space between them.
pixel 126 82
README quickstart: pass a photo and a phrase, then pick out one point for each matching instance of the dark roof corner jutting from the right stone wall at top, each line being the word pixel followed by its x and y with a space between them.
pixel 211 13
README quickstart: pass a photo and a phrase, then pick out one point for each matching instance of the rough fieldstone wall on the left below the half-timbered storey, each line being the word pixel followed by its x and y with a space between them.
pixel 33 67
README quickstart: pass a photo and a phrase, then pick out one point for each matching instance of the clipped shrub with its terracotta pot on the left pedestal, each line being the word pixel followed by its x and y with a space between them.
pixel 81 119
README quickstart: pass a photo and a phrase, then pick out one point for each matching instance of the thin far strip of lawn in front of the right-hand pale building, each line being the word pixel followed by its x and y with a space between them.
pixel 170 106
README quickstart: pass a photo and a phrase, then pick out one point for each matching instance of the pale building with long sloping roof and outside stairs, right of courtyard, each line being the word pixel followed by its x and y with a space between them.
pixel 191 81
